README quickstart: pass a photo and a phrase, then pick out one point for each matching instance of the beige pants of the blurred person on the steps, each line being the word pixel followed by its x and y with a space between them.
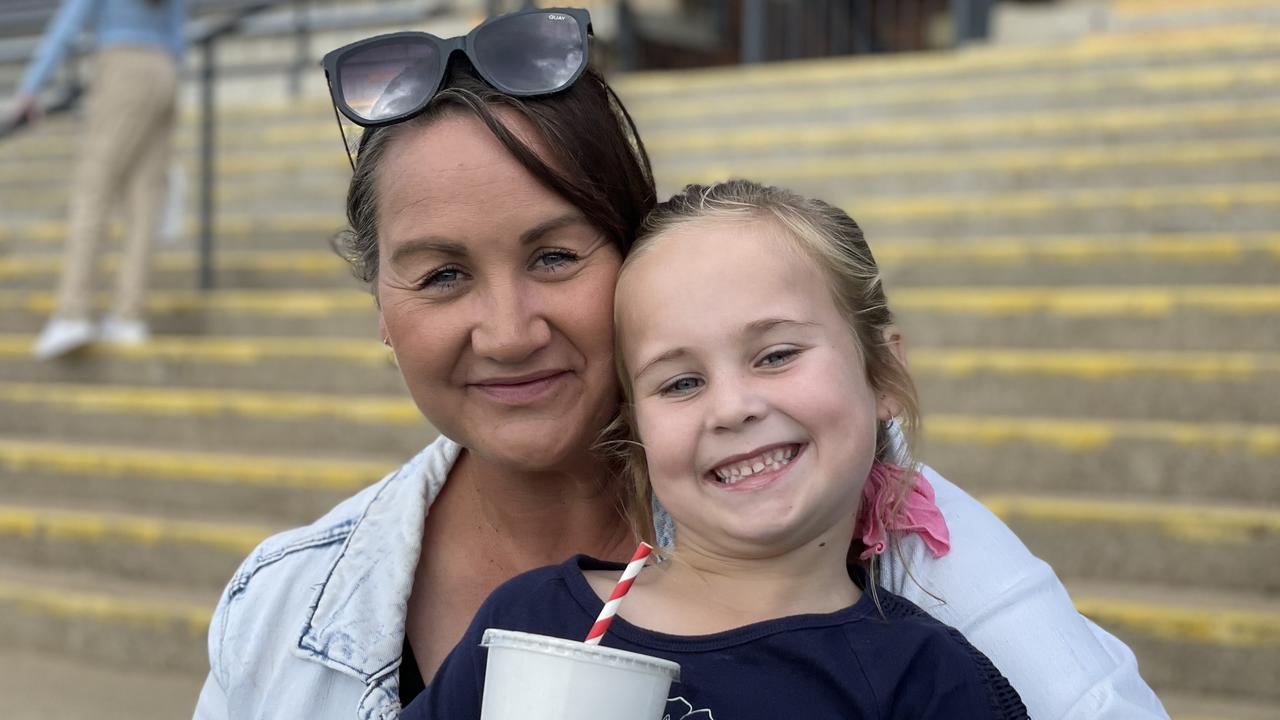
pixel 127 143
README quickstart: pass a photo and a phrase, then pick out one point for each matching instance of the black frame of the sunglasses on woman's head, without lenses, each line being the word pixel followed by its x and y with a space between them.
pixel 447 48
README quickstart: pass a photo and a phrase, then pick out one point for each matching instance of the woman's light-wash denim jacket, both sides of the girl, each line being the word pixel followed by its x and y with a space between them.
pixel 313 625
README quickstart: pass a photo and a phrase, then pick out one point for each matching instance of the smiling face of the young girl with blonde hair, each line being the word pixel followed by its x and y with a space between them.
pixel 751 397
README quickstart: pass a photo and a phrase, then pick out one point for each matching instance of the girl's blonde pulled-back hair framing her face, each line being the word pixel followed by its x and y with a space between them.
pixel 829 238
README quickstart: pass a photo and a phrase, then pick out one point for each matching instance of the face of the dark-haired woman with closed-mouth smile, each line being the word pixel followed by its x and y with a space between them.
pixel 497 297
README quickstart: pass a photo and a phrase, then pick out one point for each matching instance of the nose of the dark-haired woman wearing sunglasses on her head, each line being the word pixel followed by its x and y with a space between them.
pixel 511 326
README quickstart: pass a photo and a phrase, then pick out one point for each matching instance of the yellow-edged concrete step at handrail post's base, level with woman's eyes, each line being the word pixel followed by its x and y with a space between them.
pixel 1126 259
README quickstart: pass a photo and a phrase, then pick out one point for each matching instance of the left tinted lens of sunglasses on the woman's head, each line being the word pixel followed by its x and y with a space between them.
pixel 383 81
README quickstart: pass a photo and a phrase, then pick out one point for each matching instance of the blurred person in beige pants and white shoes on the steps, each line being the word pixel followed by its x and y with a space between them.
pixel 126 147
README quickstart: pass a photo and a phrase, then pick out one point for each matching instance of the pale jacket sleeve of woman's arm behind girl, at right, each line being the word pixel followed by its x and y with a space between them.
pixel 1012 607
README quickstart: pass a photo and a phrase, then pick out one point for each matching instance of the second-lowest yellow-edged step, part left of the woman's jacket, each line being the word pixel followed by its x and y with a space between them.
pixel 127 546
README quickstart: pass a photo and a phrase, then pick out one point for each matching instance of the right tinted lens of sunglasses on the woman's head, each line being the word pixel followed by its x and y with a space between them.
pixel 532 53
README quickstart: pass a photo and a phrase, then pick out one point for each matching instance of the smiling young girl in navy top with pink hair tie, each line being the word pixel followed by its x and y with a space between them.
pixel 762 375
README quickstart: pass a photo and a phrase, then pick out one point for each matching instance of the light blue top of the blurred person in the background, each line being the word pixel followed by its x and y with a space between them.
pixel 116 22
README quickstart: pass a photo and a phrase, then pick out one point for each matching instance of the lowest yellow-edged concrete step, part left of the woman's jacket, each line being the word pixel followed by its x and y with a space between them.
pixel 100 619
